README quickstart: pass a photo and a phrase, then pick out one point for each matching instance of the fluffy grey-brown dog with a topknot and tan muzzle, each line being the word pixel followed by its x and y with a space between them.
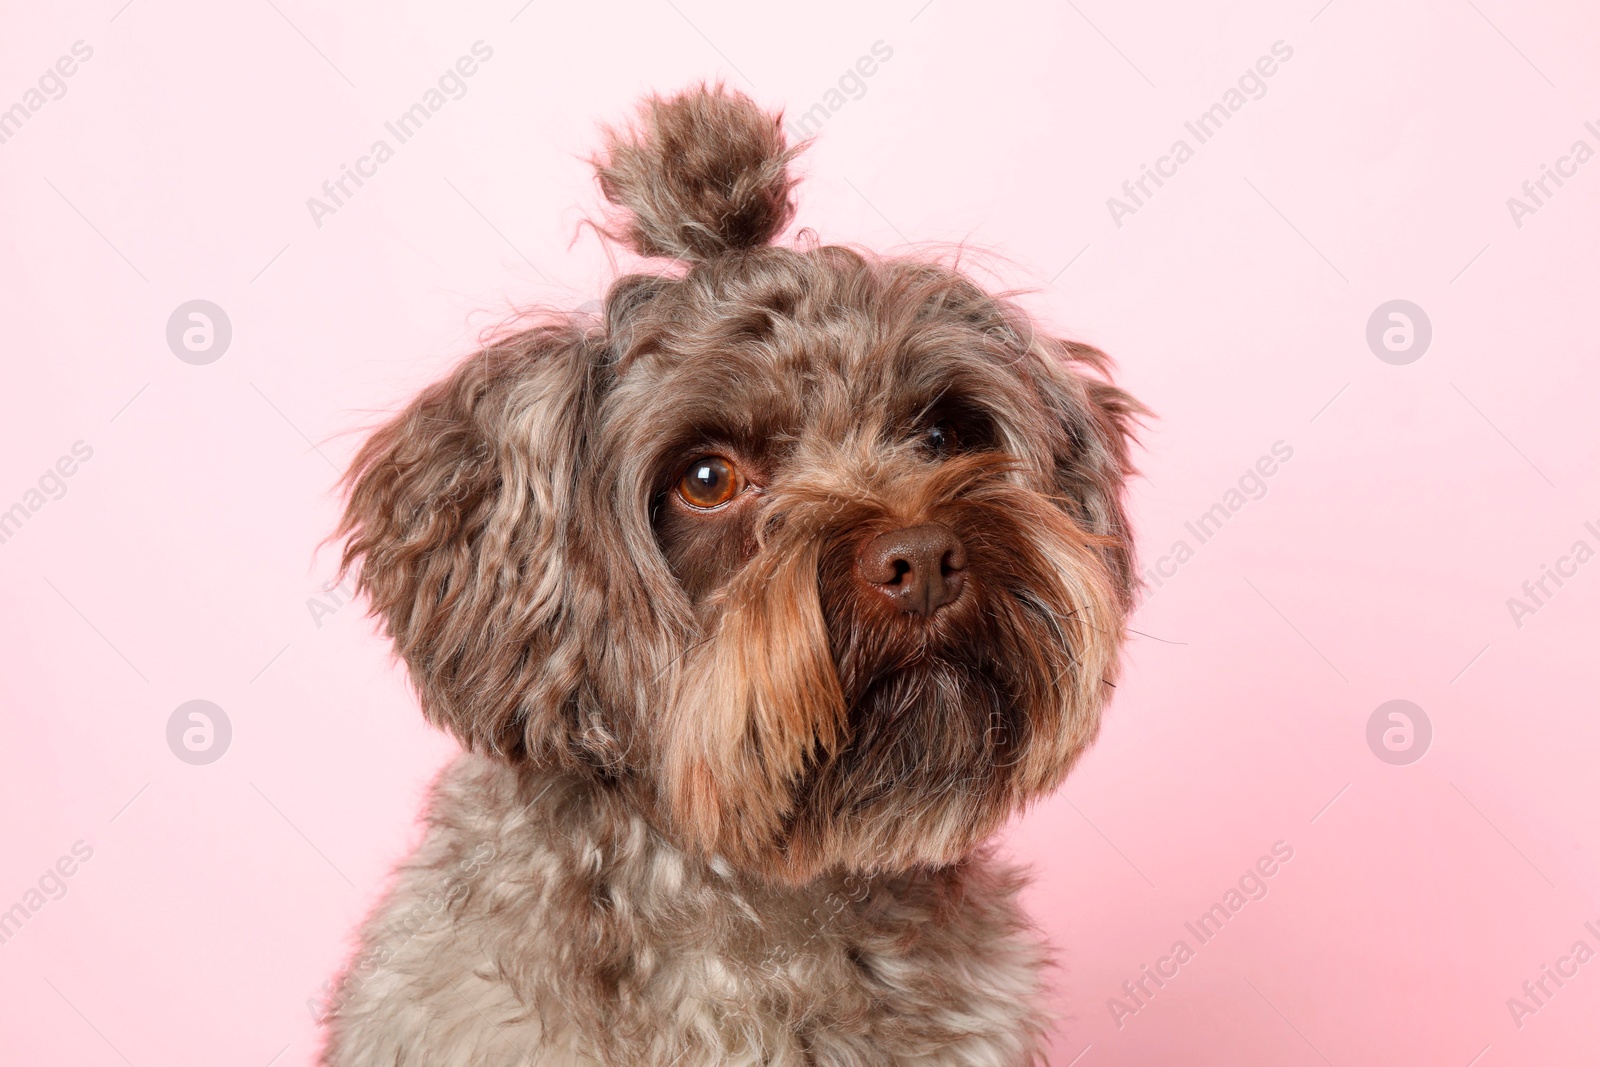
pixel 759 601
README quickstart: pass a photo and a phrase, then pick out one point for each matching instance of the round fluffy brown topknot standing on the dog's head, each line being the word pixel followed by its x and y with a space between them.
pixel 702 175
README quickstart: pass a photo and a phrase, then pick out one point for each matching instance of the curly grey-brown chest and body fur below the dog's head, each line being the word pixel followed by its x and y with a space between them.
pixel 545 924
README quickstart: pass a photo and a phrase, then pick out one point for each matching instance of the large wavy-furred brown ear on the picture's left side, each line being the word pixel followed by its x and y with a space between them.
pixel 458 522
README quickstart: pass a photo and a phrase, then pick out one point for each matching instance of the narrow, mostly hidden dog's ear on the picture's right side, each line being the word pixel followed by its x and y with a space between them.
pixel 1095 452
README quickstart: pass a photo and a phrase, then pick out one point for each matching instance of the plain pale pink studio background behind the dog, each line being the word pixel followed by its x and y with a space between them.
pixel 1420 498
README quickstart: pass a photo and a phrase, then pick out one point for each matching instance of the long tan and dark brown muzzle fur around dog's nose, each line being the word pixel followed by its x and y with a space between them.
pixel 820 727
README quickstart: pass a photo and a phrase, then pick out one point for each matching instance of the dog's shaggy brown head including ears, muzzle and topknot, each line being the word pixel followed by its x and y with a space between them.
pixel 818 557
